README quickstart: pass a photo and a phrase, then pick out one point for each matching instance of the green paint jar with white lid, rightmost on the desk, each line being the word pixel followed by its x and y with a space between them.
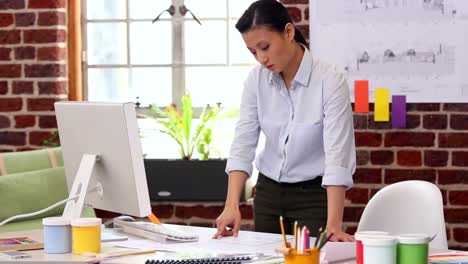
pixel 413 249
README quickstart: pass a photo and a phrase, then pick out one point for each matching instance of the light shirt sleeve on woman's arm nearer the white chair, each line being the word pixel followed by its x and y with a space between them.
pixel 338 134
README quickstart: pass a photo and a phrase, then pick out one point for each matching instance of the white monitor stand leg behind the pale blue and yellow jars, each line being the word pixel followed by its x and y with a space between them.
pixel 80 185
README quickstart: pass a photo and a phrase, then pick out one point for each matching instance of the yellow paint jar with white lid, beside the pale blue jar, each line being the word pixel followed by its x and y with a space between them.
pixel 86 234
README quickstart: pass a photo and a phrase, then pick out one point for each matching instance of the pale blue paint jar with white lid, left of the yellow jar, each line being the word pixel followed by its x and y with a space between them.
pixel 57 235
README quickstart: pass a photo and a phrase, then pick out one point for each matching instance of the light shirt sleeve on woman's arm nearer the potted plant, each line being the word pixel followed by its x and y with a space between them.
pixel 244 144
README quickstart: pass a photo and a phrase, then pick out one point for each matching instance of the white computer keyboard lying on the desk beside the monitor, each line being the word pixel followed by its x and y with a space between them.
pixel 157 232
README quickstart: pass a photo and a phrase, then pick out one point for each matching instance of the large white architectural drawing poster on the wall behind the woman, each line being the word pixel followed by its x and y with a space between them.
pixel 417 48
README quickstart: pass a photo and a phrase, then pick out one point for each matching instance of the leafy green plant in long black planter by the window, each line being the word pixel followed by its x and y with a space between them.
pixel 184 179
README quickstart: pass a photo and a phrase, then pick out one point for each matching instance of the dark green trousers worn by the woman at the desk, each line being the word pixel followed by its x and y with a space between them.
pixel 305 202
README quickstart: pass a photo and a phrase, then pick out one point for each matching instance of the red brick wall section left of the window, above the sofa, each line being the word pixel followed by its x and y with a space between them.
pixel 33 73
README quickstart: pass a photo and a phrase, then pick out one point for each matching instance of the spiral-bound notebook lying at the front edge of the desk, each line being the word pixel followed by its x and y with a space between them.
pixel 214 260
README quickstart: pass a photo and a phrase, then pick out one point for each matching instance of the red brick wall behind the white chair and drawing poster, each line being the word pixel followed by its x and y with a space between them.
pixel 433 148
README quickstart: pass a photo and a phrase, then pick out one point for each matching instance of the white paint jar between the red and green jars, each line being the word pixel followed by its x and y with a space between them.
pixel 379 249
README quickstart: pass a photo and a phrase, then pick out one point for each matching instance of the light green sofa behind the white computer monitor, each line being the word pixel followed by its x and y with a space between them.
pixel 31 181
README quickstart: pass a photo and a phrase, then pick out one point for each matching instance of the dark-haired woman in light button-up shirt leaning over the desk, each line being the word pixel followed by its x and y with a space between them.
pixel 302 106
